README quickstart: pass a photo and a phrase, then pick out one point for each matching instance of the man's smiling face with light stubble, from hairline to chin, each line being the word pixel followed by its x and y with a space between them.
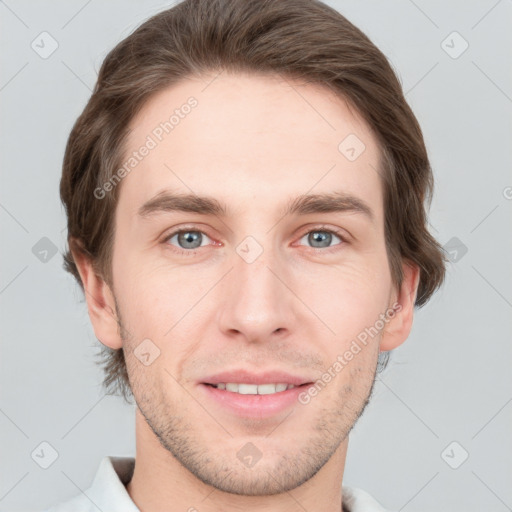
pixel 277 292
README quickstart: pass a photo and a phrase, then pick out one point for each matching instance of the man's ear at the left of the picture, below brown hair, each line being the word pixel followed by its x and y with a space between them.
pixel 100 303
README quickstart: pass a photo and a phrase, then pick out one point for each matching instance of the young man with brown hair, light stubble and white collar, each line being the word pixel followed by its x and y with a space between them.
pixel 246 193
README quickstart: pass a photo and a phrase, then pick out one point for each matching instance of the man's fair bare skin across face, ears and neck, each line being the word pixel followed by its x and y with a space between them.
pixel 253 142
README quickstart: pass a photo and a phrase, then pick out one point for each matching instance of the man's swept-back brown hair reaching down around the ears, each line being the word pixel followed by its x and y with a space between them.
pixel 301 39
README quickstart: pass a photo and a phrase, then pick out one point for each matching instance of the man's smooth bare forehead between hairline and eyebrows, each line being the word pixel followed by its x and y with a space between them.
pixel 249 140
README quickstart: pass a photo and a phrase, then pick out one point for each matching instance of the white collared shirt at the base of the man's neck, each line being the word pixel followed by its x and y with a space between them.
pixel 108 492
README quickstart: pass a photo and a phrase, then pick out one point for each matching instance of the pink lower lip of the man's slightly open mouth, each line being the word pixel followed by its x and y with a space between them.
pixel 254 406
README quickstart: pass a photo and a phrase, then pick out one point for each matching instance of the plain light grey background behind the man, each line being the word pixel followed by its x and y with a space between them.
pixel 451 381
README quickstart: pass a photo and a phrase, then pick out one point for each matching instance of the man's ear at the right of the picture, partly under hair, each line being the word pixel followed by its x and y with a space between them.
pixel 399 326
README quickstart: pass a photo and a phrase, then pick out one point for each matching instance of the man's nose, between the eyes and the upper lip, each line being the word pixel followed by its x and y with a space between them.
pixel 256 303
